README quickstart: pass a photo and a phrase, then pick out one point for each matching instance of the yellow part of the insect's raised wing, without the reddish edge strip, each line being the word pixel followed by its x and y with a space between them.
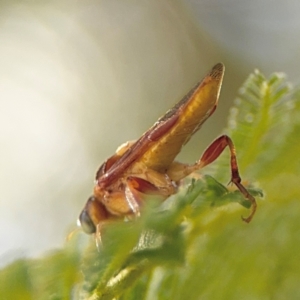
pixel 192 111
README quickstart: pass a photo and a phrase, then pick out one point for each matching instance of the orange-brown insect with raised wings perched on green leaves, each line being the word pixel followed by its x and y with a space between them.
pixel 147 167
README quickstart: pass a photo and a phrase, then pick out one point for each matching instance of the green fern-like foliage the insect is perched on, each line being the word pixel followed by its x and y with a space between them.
pixel 195 245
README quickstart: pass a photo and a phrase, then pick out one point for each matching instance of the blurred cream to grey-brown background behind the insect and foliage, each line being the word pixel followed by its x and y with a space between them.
pixel 77 79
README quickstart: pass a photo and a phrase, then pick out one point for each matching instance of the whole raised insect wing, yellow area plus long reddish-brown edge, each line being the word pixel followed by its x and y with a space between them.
pixel 159 145
